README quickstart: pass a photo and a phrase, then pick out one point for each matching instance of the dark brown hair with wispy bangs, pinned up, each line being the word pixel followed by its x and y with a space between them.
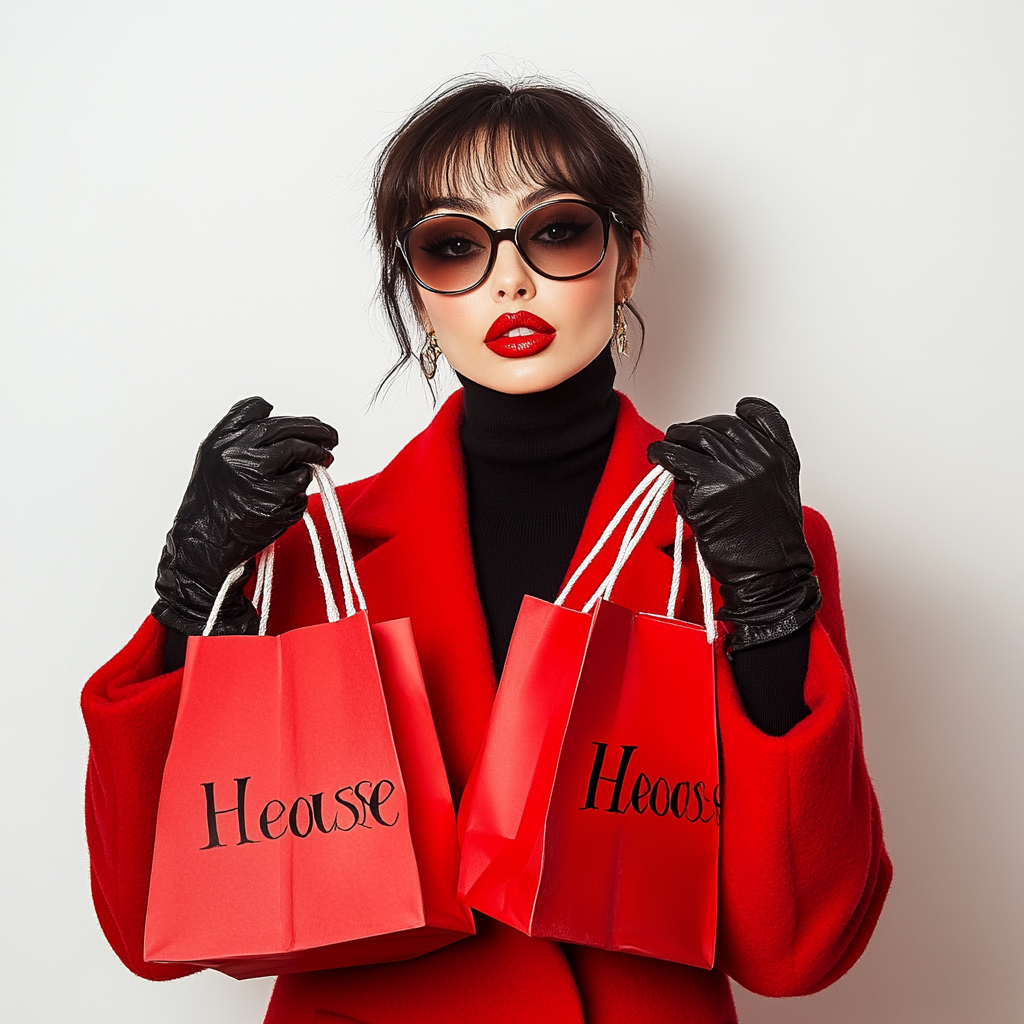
pixel 480 134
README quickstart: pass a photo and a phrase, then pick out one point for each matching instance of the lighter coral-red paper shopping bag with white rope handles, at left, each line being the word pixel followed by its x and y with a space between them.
pixel 306 821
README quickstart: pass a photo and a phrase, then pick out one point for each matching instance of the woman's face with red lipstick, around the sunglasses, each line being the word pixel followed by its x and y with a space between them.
pixel 471 328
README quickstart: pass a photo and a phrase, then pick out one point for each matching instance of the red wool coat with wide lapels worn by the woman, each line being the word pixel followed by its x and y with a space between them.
pixel 804 872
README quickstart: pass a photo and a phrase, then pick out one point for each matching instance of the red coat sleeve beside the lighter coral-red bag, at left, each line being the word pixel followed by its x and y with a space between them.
pixel 130 710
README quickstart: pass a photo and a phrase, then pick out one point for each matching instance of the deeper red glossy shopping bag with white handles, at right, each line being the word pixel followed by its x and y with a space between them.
pixel 592 814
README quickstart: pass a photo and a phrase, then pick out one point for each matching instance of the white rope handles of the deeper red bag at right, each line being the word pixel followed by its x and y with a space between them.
pixel 651 491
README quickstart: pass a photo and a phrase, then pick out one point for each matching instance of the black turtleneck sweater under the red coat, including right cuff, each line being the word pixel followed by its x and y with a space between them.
pixel 533 465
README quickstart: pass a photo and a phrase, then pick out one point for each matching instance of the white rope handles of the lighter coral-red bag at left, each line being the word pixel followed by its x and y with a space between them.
pixel 353 592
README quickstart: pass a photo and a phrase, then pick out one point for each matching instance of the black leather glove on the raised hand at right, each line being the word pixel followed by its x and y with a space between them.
pixel 738 487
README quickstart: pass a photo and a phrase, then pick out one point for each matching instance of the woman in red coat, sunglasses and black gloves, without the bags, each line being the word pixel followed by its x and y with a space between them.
pixel 511 224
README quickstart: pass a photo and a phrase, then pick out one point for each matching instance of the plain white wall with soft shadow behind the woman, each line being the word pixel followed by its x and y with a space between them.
pixel 838 192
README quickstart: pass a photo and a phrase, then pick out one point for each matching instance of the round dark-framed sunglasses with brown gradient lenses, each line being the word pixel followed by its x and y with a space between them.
pixel 452 253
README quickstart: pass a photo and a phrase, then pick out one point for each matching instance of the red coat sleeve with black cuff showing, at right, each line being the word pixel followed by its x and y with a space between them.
pixel 804 872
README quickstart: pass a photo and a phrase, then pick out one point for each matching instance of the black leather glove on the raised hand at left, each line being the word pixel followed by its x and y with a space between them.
pixel 248 487
